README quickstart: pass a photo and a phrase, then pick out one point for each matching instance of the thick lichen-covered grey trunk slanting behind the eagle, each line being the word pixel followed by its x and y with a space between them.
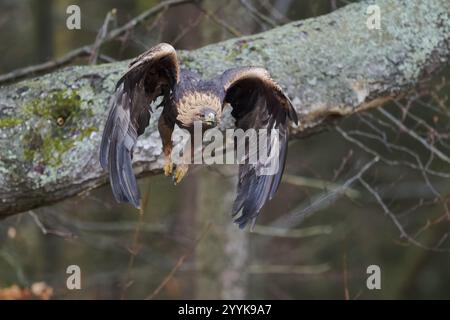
pixel 50 127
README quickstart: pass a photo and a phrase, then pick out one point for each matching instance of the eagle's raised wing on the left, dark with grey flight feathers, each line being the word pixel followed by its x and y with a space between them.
pixel 152 74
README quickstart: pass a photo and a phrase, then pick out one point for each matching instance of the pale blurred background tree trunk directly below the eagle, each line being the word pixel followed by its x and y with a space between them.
pixel 221 257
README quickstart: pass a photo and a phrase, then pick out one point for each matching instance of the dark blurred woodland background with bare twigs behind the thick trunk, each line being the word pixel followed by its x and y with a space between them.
pixel 371 188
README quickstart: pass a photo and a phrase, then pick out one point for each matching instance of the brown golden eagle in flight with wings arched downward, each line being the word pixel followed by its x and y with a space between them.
pixel 257 102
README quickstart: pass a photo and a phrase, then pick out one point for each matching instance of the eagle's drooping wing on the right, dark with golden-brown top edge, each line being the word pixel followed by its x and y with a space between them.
pixel 258 103
